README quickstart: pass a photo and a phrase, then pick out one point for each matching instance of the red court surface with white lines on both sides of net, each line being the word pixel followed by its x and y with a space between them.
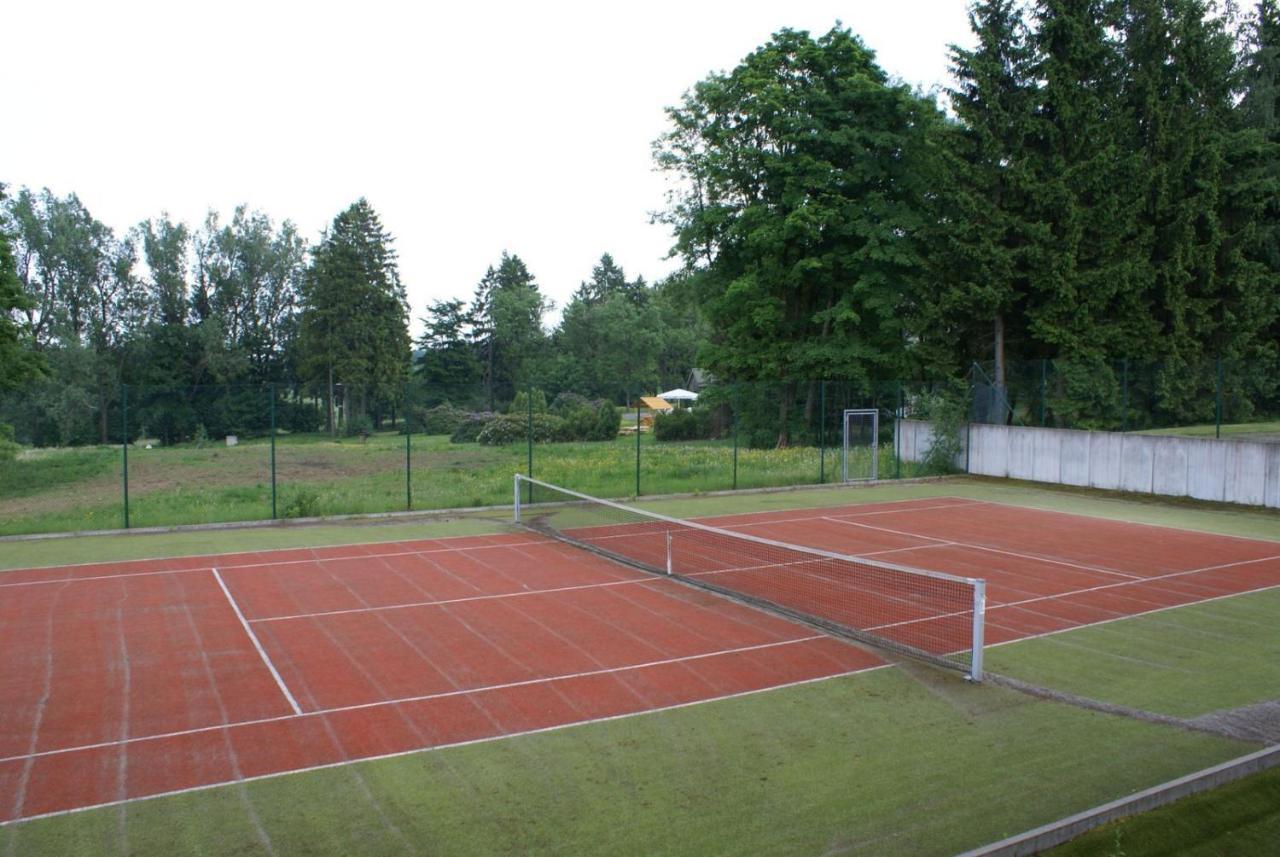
pixel 140 679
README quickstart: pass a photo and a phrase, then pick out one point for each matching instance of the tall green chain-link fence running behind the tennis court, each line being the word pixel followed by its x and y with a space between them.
pixel 140 457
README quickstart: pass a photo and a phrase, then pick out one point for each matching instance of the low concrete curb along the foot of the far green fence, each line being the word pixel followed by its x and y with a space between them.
pixel 436 514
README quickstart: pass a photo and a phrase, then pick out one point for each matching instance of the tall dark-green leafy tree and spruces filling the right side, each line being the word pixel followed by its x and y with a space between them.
pixel 1103 190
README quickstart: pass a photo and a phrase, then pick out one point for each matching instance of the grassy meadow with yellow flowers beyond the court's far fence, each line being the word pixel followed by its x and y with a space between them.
pixel 80 489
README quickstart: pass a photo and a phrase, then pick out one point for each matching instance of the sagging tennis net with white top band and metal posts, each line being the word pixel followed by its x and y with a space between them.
pixel 921 613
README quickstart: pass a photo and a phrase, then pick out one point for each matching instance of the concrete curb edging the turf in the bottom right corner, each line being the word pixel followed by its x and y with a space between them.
pixel 1049 836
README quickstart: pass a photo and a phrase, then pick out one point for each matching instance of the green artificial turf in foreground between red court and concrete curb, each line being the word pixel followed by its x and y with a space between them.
pixel 895 762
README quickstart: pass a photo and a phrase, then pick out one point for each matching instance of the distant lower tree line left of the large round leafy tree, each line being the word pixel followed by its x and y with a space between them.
pixel 200 322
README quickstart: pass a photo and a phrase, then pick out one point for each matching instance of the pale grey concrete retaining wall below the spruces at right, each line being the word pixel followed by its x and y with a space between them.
pixel 1228 471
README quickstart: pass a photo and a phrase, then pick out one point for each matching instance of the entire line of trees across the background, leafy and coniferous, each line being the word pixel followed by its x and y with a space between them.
pixel 1100 186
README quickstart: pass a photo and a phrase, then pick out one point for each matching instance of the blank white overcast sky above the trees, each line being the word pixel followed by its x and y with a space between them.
pixel 472 129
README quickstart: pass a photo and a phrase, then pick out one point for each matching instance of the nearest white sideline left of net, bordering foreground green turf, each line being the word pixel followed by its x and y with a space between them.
pixel 458 744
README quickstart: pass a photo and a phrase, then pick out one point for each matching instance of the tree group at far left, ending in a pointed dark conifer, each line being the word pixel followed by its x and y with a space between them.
pixel 232 305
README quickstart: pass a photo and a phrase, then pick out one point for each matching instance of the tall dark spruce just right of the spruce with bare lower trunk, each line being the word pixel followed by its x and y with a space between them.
pixel 1087 278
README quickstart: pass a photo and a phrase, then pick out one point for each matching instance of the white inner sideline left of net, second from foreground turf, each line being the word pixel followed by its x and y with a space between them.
pixel 423 698
